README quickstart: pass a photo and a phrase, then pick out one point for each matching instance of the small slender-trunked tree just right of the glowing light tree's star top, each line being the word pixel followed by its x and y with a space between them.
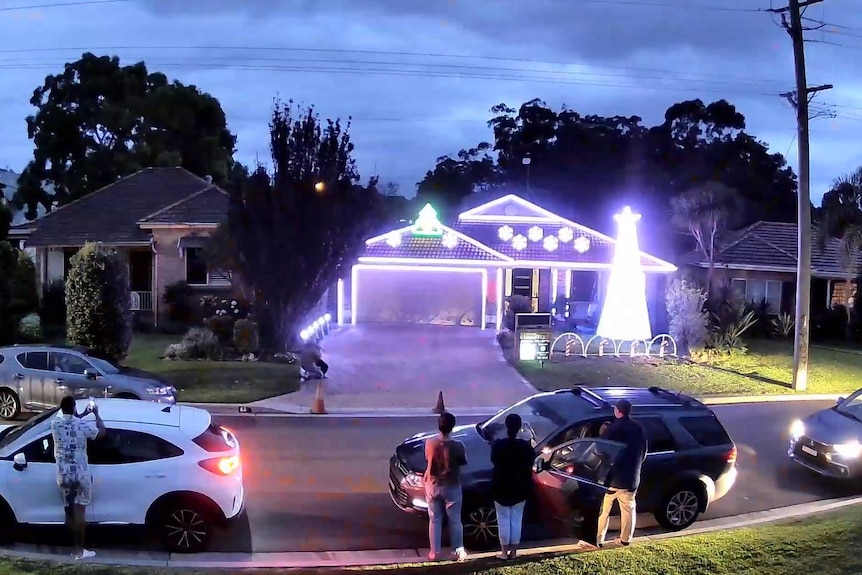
pixel 706 212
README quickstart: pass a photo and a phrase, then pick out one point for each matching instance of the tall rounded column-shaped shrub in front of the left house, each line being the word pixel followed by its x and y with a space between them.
pixel 98 302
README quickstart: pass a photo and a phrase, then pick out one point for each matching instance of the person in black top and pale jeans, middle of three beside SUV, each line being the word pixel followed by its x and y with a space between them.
pixel 511 483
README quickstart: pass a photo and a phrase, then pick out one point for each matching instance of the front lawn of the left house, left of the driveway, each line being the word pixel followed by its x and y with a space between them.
pixel 212 381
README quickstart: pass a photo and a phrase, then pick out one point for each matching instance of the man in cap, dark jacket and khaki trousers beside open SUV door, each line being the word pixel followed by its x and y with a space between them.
pixel 625 475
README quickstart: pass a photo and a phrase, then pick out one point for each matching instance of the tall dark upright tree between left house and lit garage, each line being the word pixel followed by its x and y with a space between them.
pixel 293 231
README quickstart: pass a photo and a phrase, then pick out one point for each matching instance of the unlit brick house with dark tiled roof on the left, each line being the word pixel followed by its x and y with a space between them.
pixel 160 219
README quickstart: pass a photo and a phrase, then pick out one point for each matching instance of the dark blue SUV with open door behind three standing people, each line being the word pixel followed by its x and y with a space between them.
pixel 691 460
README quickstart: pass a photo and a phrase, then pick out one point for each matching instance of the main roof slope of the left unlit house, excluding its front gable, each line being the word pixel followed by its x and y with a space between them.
pixel 111 214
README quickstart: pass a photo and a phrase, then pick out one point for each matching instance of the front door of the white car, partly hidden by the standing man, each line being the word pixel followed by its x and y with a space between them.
pixel 34 495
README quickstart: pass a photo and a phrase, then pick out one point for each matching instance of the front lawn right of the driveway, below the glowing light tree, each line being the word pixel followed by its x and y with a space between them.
pixel 765 369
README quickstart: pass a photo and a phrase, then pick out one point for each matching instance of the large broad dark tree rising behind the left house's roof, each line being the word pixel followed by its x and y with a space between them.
pixel 98 121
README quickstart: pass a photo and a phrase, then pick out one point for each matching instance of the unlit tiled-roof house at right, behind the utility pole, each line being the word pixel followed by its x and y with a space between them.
pixel 761 260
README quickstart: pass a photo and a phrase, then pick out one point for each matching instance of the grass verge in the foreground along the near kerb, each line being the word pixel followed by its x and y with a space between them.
pixel 825 545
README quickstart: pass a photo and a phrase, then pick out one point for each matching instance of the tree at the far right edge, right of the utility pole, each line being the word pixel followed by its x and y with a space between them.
pixel 841 219
